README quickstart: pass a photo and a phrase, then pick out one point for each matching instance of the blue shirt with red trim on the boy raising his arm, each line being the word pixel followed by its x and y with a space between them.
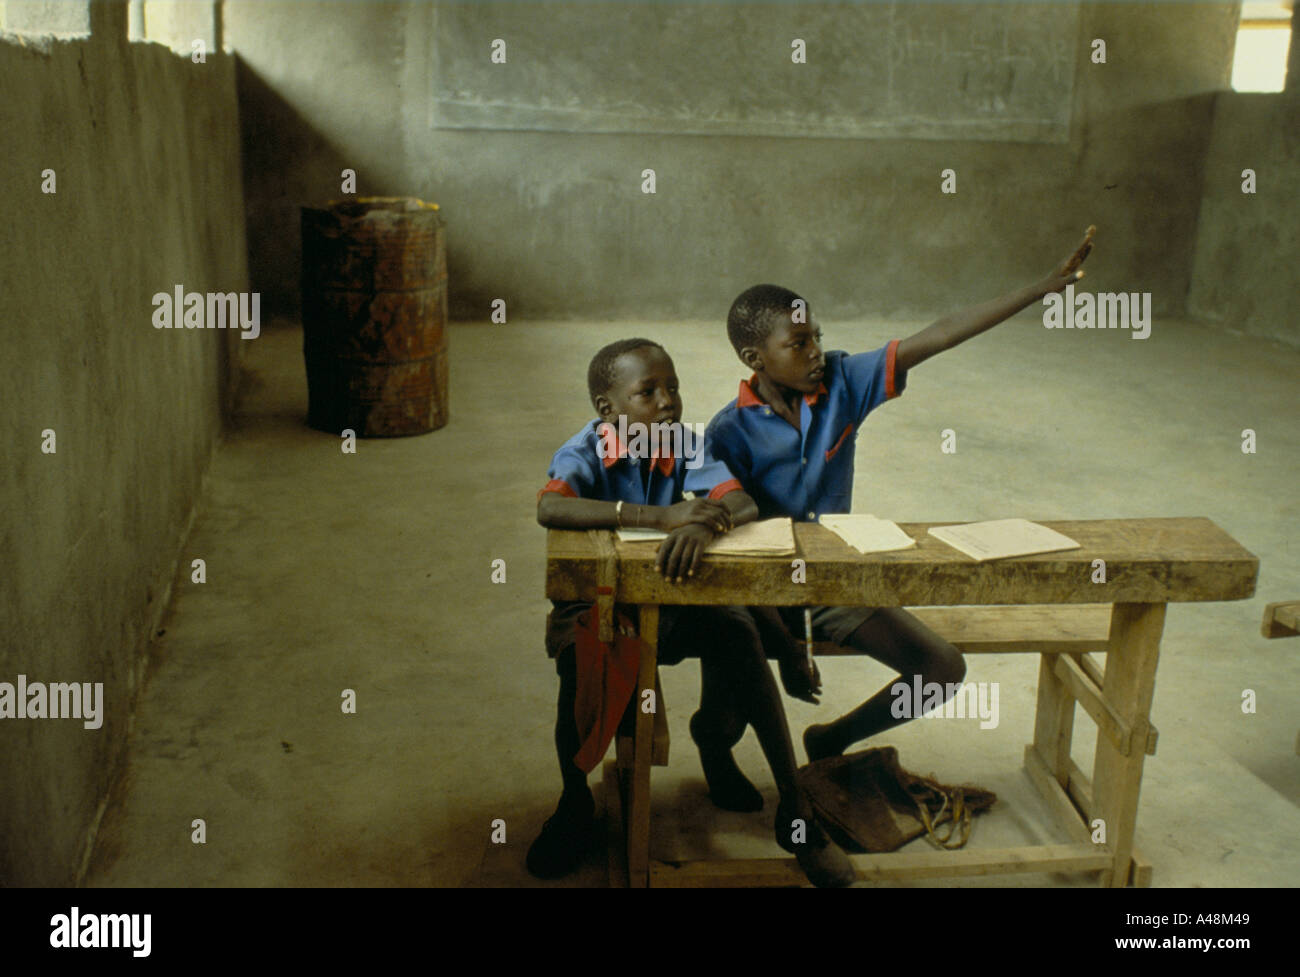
pixel 805 474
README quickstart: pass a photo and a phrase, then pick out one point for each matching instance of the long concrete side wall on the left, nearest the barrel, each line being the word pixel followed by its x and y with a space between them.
pixel 145 151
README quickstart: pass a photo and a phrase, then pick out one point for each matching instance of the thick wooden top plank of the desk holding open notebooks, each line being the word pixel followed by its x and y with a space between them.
pixel 1152 561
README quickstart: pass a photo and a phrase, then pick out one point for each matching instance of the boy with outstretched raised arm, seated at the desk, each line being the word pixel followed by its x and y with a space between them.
pixel 790 438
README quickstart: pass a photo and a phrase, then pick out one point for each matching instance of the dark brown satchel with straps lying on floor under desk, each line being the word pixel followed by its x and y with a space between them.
pixel 869 804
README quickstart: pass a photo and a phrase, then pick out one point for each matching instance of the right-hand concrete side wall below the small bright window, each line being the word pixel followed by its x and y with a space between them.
pixel 1247 245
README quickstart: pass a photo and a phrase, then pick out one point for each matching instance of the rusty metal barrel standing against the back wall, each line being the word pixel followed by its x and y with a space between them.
pixel 375 315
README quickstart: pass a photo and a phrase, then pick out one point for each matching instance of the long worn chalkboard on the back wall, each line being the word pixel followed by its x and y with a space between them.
pixel 1000 72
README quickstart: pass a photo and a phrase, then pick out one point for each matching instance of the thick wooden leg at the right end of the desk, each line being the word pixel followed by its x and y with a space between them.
pixel 1130 683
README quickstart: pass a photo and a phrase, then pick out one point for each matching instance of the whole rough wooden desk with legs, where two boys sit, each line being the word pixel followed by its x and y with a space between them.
pixel 1149 563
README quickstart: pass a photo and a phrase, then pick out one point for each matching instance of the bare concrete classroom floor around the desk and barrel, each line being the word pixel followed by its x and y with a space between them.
pixel 372 572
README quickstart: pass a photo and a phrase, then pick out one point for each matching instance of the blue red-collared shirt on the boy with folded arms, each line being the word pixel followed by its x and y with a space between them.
pixel 580 471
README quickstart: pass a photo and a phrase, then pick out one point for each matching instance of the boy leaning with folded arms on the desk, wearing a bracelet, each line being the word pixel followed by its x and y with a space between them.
pixel 597 483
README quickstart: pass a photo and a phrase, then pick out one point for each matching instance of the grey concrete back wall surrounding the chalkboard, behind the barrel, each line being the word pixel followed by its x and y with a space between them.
pixel 556 224
